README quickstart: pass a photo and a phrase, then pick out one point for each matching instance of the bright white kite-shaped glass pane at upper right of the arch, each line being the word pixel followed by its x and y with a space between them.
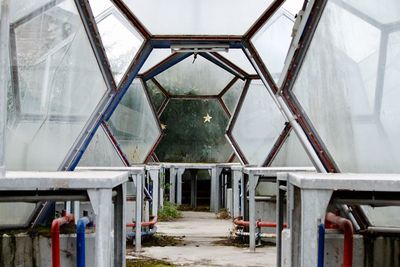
pixel 272 42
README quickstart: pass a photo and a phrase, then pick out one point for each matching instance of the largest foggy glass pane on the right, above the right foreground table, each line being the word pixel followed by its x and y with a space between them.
pixel 348 86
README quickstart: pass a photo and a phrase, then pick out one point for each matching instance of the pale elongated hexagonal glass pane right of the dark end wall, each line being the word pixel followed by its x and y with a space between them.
pixel 258 124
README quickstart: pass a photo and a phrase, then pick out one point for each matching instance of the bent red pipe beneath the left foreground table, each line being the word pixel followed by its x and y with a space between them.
pixel 55 236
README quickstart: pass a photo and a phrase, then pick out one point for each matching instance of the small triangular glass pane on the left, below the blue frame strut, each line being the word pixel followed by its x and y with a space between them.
pixel 100 152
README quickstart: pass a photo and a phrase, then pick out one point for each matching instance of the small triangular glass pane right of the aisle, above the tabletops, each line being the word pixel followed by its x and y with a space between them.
pixel 291 154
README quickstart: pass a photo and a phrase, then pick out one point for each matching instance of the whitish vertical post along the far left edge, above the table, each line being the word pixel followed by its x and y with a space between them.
pixel 4 49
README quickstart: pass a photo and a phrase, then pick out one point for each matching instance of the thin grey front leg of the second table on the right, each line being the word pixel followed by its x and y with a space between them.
pixel 253 181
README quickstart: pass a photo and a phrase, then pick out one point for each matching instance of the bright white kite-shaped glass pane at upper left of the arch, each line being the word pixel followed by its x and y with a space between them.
pixel 120 39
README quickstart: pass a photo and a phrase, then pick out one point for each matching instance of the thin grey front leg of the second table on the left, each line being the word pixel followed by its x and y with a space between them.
pixel 138 211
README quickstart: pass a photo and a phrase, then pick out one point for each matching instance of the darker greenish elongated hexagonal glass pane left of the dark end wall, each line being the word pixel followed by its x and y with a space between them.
pixel 134 124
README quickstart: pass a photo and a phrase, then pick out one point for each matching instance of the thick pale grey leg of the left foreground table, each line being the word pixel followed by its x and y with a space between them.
pixel 101 200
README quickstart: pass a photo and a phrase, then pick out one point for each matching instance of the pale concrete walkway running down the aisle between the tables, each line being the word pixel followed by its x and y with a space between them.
pixel 199 230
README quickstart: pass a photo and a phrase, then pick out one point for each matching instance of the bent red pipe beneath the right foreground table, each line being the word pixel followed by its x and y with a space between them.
pixel 347 227
